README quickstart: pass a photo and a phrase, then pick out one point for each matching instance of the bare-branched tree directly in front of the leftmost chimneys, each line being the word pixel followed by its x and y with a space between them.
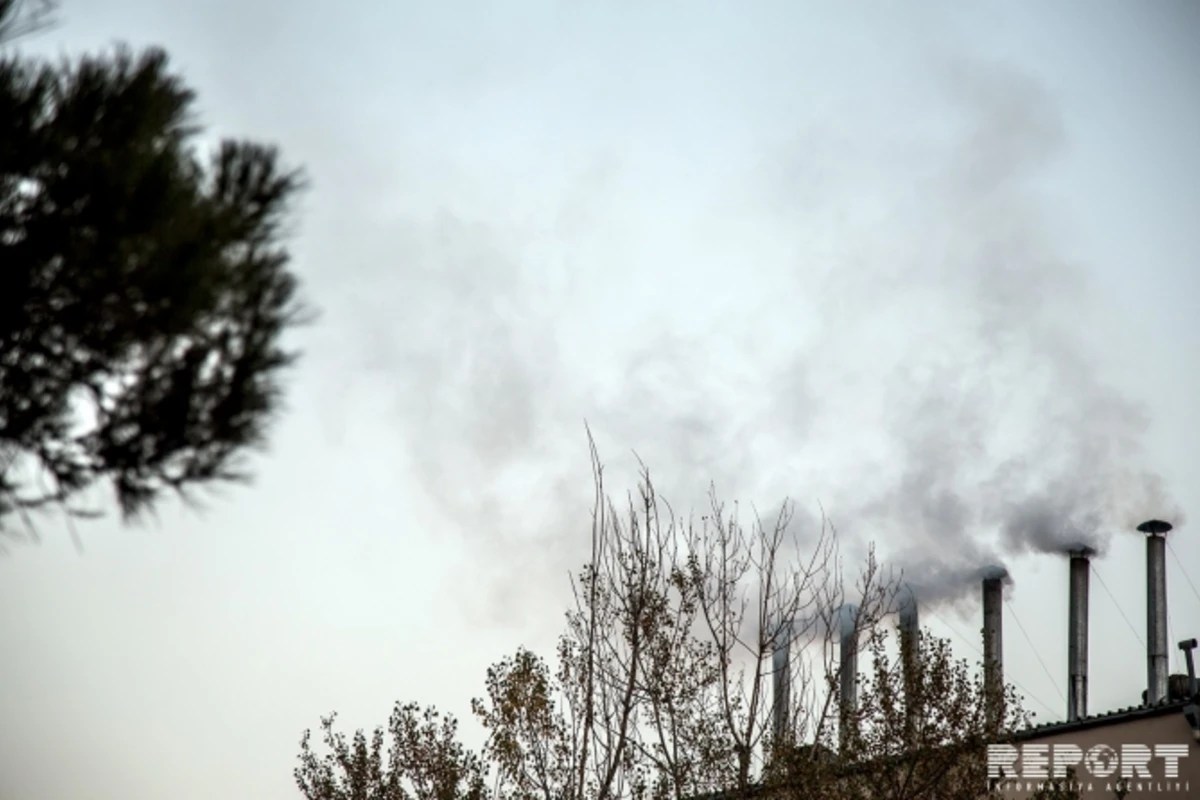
pixel 758 594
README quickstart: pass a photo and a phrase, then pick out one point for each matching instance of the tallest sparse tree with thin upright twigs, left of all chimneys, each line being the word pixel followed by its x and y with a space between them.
pixel 631 679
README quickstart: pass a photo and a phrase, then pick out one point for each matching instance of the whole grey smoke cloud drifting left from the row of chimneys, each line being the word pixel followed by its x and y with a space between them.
pixel 941 400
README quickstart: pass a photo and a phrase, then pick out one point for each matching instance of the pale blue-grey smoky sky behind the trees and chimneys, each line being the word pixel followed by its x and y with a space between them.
pixel 929 268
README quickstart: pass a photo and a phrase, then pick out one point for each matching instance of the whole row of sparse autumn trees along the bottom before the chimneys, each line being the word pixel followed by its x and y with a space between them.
pixel 661 688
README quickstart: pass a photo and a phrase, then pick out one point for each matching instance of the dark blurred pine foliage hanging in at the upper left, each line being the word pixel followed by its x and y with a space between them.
pixel 145 286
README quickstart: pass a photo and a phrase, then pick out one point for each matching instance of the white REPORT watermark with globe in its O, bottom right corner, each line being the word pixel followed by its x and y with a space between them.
pixel 1142 768
